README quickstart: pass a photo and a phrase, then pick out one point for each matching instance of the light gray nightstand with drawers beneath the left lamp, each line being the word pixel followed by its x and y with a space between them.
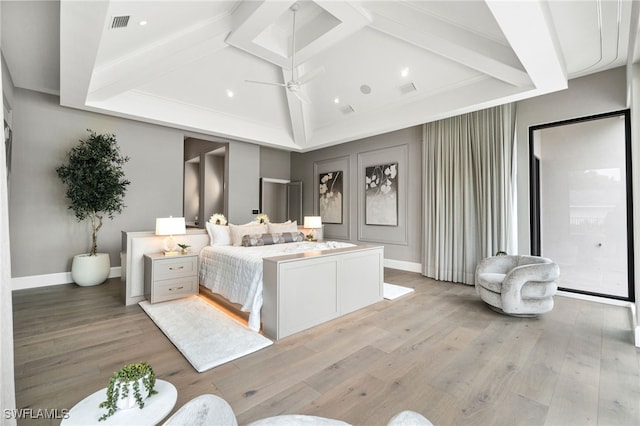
pixel 170 277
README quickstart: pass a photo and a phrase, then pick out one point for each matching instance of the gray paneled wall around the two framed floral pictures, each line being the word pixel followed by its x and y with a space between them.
pixel 304 167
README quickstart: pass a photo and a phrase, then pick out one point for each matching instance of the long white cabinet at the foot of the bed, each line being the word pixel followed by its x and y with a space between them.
pixel 302 291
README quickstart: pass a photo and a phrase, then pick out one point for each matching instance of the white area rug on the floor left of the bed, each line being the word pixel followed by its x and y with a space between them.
pixel 204 335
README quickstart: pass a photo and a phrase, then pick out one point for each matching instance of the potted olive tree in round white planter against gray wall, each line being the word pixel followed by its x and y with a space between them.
pixel 96 186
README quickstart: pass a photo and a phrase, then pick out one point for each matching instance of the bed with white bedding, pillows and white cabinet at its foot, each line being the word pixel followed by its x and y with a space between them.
pixel 287 287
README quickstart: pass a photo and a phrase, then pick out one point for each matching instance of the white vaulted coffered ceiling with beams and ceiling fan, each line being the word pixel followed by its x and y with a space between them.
pixel 372 66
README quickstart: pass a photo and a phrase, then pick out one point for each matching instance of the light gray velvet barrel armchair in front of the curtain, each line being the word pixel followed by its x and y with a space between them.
pixel 517 285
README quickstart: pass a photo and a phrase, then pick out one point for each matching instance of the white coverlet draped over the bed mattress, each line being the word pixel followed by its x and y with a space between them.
pixel 236 272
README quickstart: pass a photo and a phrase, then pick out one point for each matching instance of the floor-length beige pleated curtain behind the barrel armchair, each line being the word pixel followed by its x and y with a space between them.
pixel 468 170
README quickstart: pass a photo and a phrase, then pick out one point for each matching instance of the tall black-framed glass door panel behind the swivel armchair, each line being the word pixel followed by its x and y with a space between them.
pixel 581 205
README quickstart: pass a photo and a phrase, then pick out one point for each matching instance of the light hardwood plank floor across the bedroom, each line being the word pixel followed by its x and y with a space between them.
pixel 439 351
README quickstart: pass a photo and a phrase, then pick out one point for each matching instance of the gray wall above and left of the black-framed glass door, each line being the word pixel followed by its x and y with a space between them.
pixel 585 96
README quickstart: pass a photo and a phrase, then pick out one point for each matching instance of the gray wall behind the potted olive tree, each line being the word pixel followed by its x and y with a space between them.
pixel 44 233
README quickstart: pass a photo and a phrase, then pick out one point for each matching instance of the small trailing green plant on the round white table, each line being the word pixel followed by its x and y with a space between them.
pixel 118 386
